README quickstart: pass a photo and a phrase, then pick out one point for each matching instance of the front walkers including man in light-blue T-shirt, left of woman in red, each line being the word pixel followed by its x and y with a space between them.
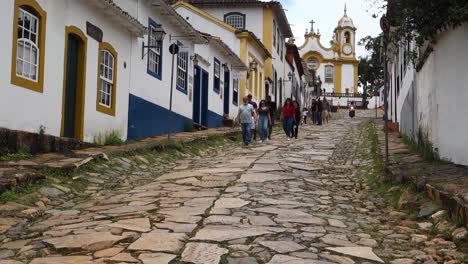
pixel 252 115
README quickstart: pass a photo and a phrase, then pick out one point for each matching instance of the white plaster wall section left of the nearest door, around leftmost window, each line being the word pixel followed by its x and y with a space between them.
pixel 25 109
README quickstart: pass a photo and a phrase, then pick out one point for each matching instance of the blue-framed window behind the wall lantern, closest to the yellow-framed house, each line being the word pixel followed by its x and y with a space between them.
pixel 154 65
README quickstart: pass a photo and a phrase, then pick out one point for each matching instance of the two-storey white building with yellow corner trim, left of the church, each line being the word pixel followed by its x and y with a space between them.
pixel 261 27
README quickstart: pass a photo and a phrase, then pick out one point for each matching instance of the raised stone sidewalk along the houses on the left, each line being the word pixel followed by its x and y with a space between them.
pixel 14 173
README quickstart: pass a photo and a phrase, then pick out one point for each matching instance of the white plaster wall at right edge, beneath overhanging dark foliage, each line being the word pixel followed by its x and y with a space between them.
pixel 450 78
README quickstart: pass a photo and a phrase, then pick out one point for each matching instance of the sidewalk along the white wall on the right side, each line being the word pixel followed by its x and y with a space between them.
pixel 444 183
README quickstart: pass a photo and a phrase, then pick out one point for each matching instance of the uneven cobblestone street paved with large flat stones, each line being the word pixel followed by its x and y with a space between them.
pixel 300 201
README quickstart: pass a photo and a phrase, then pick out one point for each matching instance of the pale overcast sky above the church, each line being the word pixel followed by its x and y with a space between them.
pixel 326 14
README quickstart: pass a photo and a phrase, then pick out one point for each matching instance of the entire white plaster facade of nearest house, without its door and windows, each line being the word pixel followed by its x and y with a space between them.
pixel 26 110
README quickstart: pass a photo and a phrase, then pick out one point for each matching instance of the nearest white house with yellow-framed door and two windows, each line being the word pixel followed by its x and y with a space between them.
pixel 66 66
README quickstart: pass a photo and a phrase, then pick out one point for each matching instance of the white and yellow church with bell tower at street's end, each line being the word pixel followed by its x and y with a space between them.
pixel 336 66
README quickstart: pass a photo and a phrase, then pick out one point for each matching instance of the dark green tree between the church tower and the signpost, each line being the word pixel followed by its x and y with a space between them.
pixel 371 72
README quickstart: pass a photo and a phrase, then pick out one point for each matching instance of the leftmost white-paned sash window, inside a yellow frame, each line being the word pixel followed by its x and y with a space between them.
pixel 27 57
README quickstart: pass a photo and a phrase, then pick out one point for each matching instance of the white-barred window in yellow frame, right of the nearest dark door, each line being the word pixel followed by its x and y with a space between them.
pixel 107 78
